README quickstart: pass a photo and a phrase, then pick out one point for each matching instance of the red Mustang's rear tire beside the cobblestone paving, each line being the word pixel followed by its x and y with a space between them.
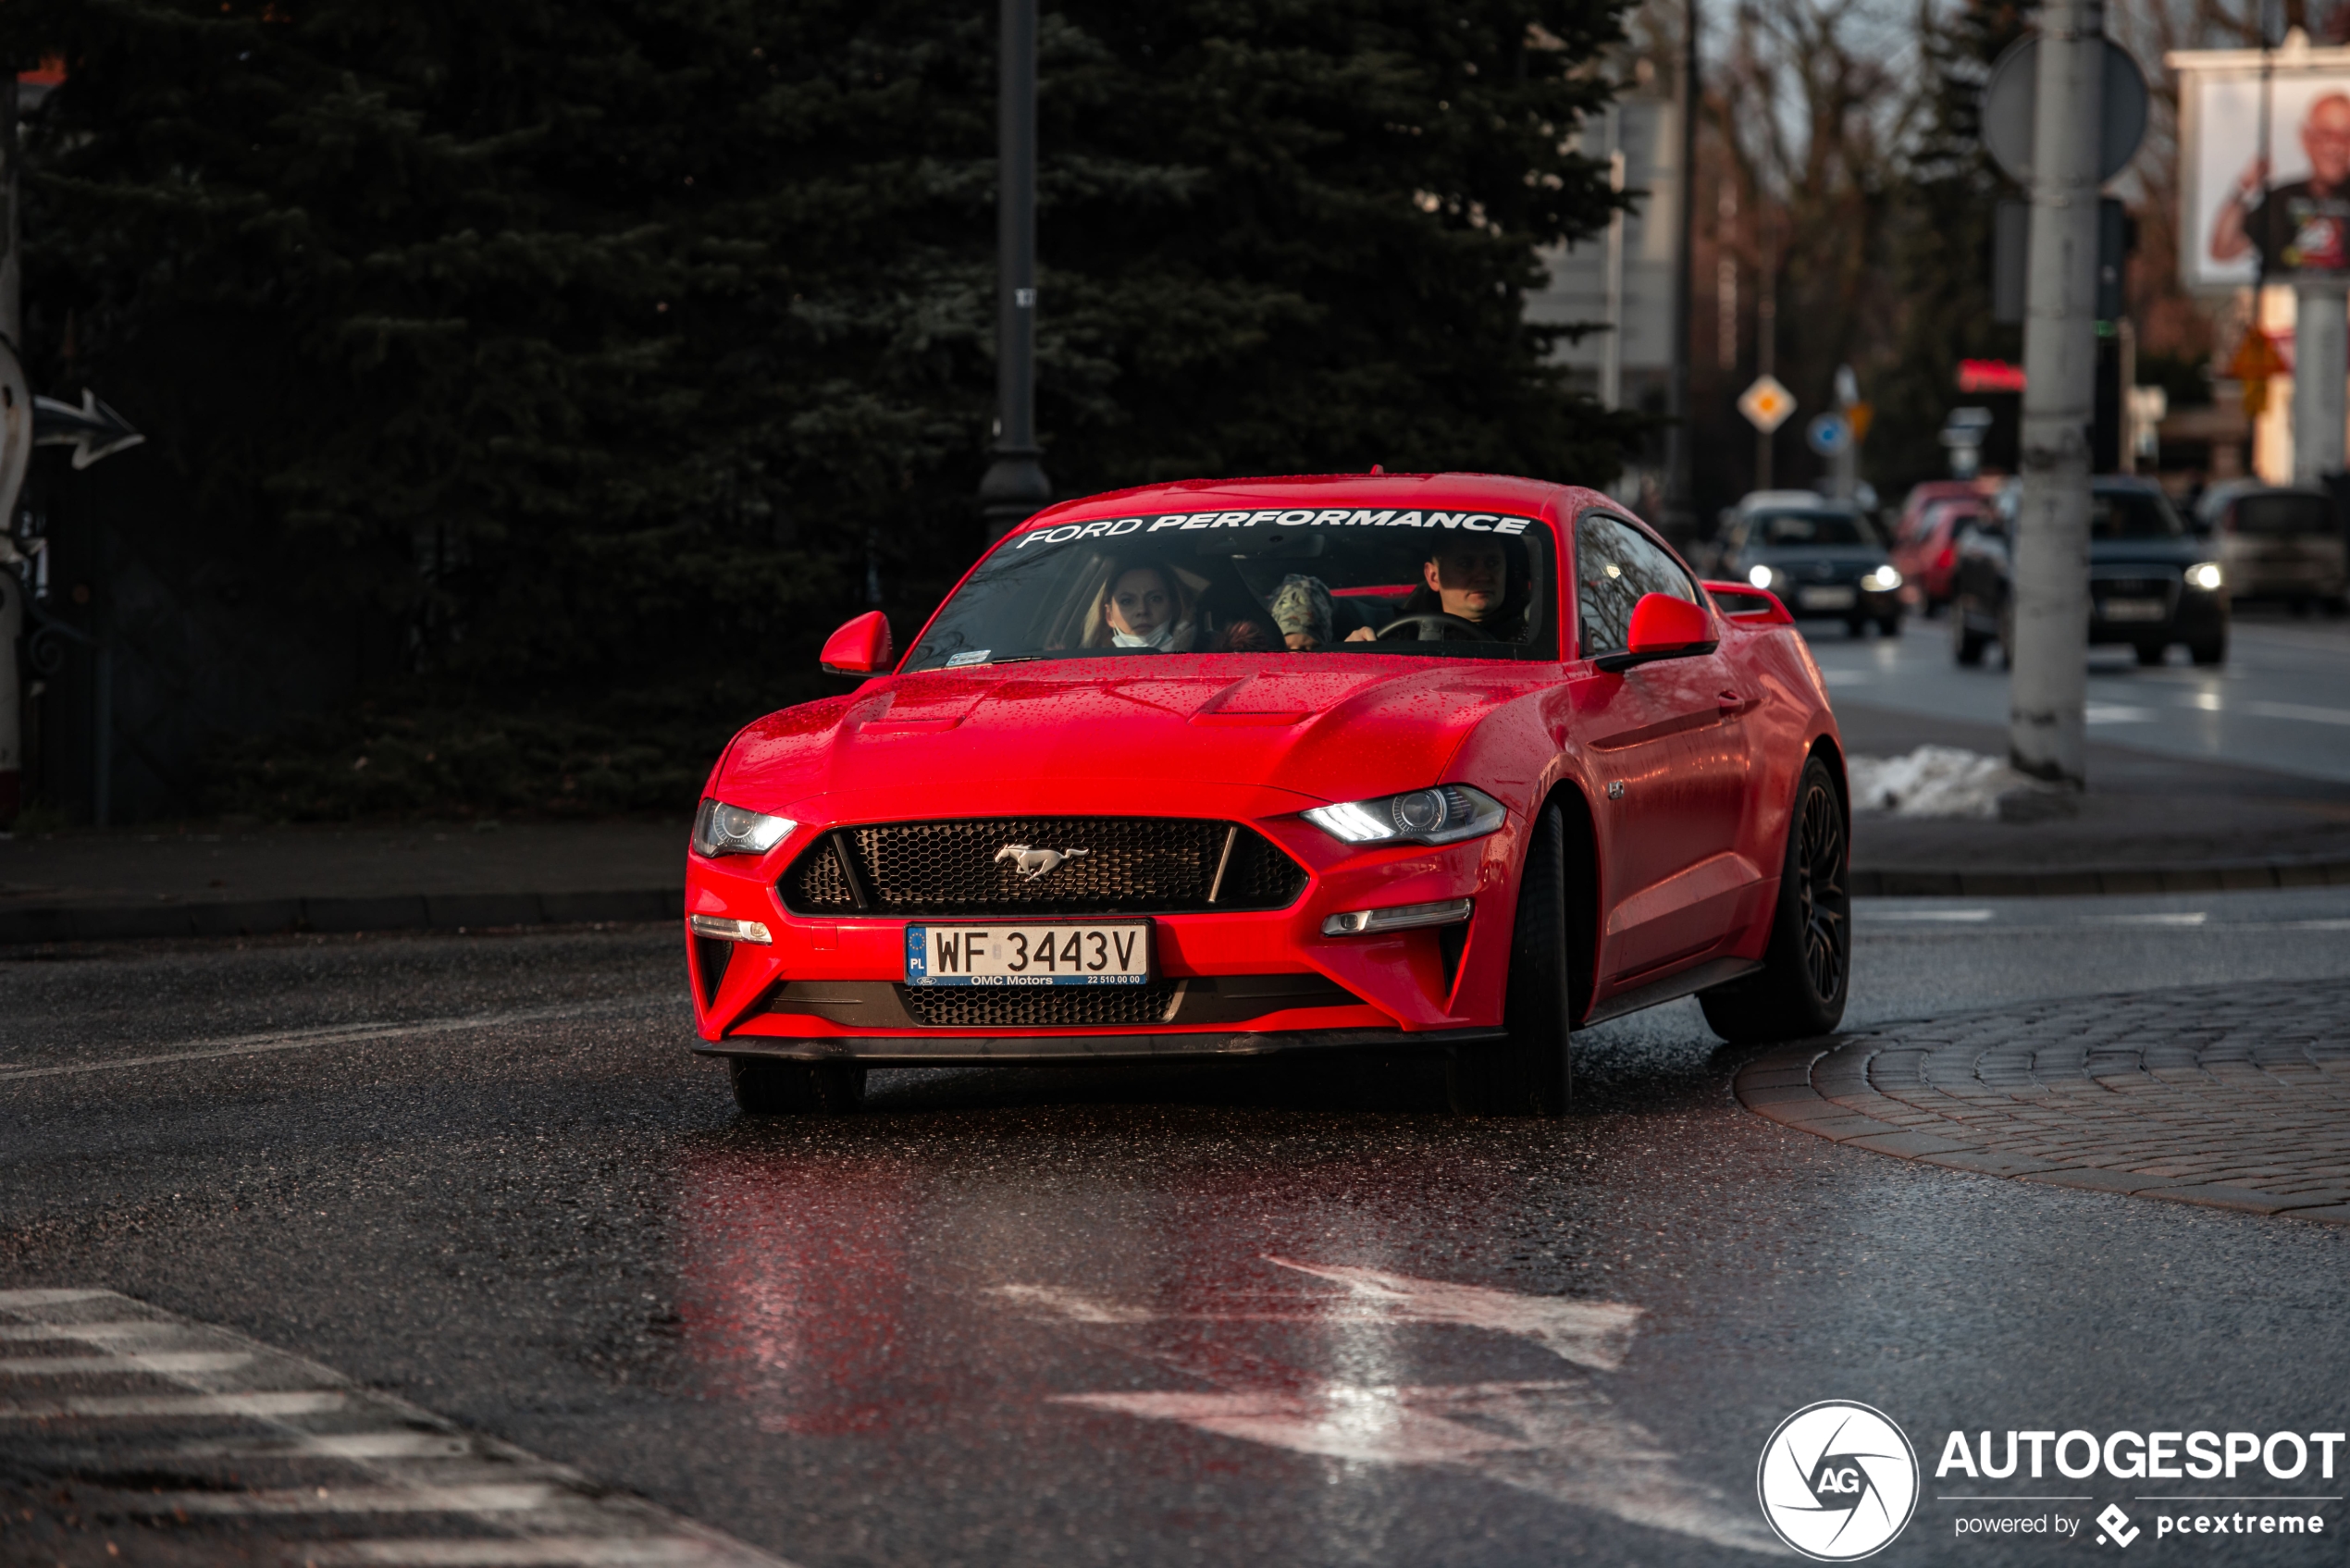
pixel 1808 967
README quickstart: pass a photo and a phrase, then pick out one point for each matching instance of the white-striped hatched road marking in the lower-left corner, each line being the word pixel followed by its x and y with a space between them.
pixel 401 1463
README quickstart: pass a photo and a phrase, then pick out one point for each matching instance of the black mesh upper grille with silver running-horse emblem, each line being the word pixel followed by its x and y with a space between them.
pixel 1073 866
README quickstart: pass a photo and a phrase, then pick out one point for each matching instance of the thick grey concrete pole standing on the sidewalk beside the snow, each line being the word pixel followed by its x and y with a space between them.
pixel 2048 657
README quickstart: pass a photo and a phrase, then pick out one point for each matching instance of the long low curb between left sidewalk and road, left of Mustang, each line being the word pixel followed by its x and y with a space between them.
pixel 337 916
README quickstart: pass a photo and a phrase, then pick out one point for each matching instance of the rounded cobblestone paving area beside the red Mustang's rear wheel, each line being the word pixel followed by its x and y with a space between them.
pixel 2224 1097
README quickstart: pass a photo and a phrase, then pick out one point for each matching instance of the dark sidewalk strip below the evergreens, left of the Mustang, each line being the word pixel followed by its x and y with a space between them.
pixel 253 880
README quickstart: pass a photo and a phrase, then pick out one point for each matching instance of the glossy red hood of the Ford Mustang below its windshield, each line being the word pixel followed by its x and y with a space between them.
pixel 1303 728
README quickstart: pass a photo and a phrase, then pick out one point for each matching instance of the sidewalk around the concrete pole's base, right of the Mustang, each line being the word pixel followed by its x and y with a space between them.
pixel 2147 826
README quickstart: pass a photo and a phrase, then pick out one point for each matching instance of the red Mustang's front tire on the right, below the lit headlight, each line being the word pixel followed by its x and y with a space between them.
pixel 1531 1073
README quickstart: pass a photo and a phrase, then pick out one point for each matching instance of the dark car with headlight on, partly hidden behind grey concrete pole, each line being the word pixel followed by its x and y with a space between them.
pixel 2151 579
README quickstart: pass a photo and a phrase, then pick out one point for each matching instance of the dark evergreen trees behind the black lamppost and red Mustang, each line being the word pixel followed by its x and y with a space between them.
pixel 643 335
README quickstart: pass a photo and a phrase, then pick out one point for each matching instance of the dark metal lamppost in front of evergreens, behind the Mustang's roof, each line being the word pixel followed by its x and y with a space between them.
pixel 1016 485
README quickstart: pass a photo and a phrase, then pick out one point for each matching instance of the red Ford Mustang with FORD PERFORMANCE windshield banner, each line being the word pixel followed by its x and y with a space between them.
pixel 1282 765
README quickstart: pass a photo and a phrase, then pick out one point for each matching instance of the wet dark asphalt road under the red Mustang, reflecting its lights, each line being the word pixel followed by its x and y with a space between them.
pixel 1120 1315
